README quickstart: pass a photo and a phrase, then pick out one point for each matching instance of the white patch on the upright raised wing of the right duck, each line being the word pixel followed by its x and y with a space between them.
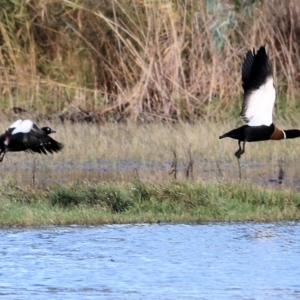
pixel 258 104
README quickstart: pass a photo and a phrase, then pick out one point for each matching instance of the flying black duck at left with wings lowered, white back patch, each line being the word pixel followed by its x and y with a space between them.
pixel 24 135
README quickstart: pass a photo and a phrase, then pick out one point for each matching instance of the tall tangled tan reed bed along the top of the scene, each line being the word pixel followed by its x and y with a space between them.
pixel 144 60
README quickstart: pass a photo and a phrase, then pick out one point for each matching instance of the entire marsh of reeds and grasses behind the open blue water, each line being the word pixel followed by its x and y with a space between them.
pixel 158 81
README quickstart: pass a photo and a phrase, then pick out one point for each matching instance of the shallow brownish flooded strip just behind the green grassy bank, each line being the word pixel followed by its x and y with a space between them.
pixel 129 170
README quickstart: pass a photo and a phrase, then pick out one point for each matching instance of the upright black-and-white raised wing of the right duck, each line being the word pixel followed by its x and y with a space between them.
pixel 259 91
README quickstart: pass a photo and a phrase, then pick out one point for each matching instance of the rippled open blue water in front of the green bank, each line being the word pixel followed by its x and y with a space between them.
pixel 209 261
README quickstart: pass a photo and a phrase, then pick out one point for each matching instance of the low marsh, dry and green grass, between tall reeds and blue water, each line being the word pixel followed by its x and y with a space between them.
pixel 128 178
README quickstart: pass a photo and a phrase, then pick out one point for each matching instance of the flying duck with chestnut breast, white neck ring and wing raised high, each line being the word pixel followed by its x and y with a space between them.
pixel 258 103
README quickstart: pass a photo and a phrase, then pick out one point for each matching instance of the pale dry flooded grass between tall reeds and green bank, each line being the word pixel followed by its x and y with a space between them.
pixel 125 152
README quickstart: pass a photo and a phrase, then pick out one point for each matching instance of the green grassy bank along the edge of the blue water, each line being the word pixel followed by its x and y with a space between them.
pixel 137 202
